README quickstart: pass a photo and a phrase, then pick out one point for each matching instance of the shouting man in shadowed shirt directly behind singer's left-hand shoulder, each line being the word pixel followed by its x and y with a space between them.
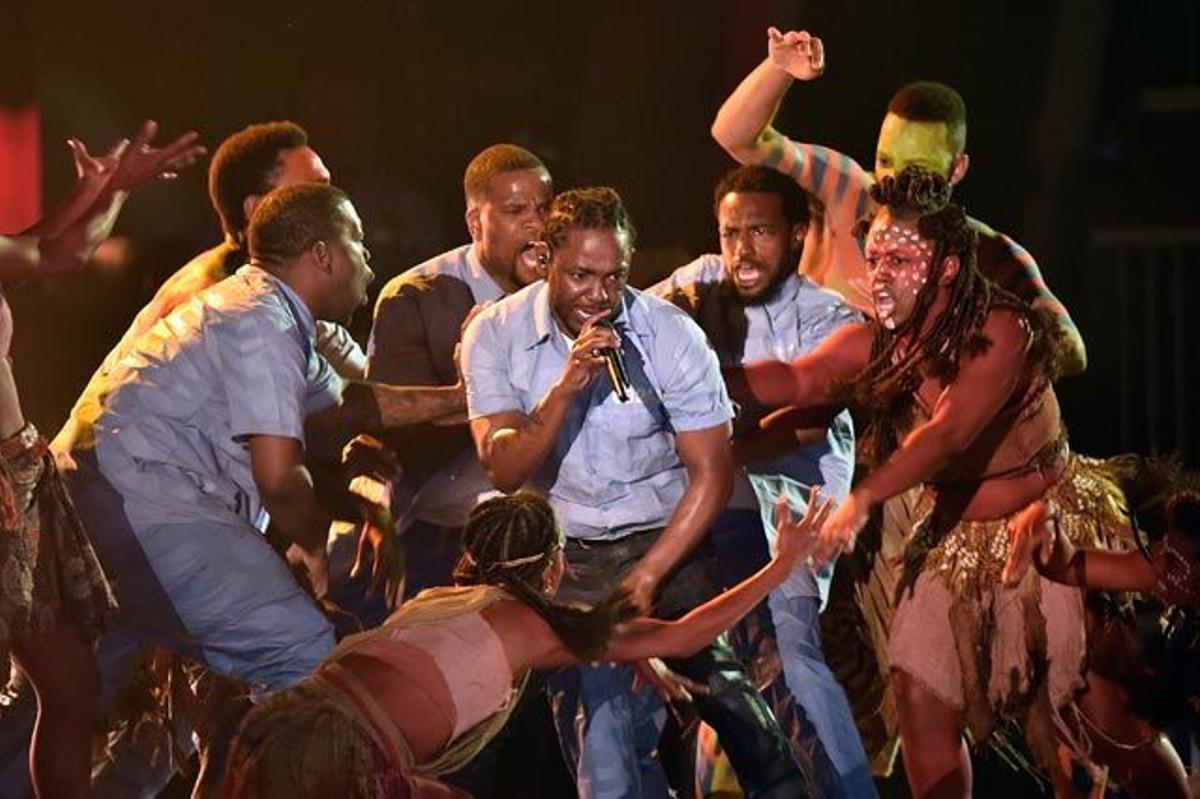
pixel 418 325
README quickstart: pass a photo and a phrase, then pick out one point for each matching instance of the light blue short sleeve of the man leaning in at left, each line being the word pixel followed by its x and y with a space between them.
pixel 263 369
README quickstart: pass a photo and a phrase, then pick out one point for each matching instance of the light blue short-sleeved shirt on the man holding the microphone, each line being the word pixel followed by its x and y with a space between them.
pixel 615 468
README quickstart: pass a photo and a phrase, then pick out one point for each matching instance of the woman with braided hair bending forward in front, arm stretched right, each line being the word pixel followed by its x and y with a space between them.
pixel 425 693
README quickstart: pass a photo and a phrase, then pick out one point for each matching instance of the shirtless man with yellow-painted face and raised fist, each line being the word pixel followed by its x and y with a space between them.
pixel 926 125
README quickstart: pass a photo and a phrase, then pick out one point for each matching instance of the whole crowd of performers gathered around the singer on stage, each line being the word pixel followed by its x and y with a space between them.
pixel 578 489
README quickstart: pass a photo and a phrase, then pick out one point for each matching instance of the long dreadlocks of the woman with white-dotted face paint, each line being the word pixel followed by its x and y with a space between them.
pixel 902 357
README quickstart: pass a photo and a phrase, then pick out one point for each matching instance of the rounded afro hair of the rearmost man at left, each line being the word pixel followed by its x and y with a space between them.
pixel 247 165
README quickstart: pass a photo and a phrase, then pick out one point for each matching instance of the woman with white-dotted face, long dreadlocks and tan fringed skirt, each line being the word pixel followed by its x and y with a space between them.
pixel 953 377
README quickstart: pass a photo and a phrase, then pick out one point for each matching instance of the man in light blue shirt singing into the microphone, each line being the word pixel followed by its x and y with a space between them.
pixel 635 484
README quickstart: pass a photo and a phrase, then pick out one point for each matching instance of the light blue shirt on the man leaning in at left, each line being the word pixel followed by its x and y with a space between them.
pixel 171 419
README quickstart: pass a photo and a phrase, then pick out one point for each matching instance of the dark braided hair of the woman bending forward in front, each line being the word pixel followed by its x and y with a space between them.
pixel 508 543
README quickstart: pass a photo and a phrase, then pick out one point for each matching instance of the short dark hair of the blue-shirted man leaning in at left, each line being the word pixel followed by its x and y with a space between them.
pixel 291 220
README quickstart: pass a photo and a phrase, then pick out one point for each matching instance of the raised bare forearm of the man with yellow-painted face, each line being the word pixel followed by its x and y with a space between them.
pixel 743 123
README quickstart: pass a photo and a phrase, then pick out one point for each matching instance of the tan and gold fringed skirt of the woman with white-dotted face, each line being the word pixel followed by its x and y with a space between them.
pixel 1015 652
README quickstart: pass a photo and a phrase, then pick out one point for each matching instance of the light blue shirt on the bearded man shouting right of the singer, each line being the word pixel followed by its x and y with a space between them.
pixel 797 319
